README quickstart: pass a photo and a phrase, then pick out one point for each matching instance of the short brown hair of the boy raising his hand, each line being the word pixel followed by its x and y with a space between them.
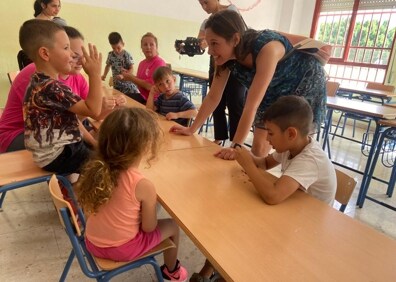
pixel 35 33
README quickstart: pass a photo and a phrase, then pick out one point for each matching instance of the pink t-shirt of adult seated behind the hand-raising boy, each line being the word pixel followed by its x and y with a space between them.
pixel 11 122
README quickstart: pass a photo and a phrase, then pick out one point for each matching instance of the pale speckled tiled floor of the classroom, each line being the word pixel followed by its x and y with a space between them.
pixel 34 247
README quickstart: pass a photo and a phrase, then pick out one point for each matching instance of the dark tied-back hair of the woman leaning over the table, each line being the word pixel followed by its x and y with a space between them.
pixel 227 23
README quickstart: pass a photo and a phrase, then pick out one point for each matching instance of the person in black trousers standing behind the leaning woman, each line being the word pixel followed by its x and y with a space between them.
pixel 234 93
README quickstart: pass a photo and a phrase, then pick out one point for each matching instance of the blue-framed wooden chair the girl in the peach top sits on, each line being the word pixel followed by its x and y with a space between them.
pixel 92 267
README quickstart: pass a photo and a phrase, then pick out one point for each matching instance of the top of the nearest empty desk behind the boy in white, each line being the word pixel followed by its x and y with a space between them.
pixel 359 107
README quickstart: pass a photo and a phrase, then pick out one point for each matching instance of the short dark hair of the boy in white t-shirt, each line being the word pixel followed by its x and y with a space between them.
pixel 291 111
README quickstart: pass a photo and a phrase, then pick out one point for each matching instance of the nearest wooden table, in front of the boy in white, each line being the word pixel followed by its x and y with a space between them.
pixel 301 239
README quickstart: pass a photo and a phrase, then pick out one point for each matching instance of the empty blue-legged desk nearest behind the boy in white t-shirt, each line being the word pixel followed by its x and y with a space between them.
pixel 374 111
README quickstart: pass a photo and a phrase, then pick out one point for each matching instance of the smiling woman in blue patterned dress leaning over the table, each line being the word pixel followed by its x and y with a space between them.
pixel 255 58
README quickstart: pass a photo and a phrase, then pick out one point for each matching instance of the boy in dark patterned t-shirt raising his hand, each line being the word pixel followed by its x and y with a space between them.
pixel 50 107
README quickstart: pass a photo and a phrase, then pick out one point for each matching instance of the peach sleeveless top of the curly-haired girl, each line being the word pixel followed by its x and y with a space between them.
pixel 118 221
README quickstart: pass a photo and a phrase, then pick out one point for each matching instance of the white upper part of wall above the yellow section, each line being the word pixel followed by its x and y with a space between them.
pixel 293 16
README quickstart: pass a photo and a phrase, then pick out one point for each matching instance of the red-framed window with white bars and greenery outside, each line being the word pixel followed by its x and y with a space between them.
pixel 362 34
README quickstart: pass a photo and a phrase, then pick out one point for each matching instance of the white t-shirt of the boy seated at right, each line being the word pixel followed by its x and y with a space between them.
pixel 312 169
